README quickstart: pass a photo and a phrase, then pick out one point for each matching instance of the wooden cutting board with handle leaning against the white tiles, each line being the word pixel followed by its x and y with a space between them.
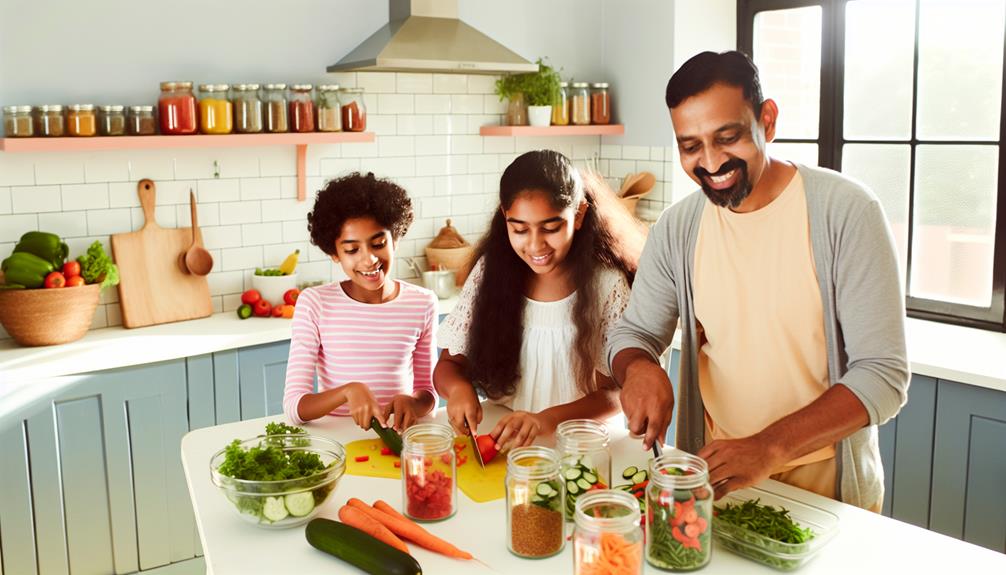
pixel 153 289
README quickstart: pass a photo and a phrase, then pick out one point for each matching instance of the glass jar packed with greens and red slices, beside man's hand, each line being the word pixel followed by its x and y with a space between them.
pixel 680 516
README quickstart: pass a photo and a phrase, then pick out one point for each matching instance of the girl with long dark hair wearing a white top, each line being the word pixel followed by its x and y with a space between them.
pixel 552 277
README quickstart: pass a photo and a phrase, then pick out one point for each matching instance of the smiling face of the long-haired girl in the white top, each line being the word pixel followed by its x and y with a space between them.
pixel 541 235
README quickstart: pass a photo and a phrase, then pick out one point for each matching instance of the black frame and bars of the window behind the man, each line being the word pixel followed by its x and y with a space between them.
pixel 830 142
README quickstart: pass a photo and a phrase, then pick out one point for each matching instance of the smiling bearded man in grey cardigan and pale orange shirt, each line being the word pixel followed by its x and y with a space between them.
pixel 785 280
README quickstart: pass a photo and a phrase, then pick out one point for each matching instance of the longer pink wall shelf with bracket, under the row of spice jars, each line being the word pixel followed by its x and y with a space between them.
pixel 301 141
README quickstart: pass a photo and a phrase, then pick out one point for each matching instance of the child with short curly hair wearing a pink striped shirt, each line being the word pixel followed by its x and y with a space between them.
pixel 369 339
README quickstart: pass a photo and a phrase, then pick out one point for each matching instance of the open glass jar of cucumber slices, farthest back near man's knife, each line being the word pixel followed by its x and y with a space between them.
pixel 585 459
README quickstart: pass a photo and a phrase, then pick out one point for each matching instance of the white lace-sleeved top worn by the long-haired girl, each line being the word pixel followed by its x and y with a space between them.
pixel 546 355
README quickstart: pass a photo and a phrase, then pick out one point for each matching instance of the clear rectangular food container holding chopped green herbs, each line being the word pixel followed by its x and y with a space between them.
pixel 776 554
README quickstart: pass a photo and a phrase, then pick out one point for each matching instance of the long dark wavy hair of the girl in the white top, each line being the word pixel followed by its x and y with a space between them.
pixel 608 238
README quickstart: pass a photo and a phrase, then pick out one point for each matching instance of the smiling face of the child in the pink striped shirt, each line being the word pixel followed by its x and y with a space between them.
pixel 366 252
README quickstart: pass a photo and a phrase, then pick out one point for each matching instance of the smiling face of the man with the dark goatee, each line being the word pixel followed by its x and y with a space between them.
pixel 723 144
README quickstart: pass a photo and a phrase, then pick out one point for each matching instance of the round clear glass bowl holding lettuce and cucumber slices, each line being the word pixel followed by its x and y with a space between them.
pixel 287 503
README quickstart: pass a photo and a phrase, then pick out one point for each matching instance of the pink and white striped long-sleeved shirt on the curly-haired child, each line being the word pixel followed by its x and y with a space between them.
pixel 390 347
